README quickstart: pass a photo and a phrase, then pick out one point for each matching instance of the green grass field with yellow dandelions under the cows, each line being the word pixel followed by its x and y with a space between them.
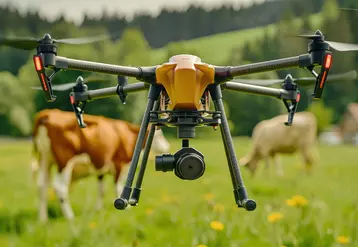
pixel 173 212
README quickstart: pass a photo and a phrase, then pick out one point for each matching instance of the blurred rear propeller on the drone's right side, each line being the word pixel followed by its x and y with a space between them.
pixel 302 81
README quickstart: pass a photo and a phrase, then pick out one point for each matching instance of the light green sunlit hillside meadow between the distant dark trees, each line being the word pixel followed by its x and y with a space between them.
pixel 215 49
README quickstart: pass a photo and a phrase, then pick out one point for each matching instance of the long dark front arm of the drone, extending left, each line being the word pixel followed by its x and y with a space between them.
pixel 141 73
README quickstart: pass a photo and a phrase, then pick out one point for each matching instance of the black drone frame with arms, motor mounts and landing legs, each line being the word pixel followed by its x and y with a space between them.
pixel 318 55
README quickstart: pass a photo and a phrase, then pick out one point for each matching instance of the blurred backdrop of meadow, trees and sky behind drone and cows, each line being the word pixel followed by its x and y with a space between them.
pixel 220 33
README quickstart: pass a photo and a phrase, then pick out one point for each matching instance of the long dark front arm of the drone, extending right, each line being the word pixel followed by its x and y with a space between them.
pixel 223 74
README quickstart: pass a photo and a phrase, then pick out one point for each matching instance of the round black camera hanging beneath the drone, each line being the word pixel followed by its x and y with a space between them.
pixel 187 163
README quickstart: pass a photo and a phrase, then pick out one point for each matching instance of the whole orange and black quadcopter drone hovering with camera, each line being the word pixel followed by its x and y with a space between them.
pixel 179 92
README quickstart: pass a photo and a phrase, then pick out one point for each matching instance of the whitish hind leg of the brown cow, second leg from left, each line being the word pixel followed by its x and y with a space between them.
pixel 63 181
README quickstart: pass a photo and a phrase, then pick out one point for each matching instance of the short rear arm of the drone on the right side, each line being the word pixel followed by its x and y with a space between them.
pixel 241 87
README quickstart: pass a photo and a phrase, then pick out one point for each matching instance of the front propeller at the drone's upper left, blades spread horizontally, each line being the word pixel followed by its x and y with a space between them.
pixel 29 43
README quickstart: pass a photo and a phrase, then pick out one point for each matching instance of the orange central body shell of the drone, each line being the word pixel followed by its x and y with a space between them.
pixel 185 79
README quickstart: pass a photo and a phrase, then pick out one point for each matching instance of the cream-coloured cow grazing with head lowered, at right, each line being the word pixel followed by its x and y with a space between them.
pixel 271 137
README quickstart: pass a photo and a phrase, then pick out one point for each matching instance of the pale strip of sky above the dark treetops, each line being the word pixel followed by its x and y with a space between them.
pixel 75 9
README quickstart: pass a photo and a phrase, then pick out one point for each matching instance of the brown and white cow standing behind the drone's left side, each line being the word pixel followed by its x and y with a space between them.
pixel 104 146
